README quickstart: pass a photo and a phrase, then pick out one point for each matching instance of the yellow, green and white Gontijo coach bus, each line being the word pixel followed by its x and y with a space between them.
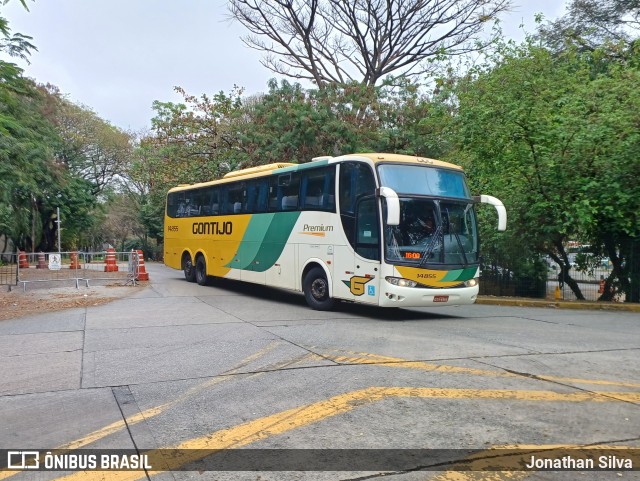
pixel 382 229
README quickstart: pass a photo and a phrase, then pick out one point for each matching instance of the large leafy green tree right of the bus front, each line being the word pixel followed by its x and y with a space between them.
pixel 560 146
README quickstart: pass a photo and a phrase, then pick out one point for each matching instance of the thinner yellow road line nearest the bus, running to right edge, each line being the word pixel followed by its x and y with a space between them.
pixel 366 358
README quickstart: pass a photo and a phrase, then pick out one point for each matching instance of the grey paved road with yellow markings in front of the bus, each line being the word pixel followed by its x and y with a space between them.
pixel 239 366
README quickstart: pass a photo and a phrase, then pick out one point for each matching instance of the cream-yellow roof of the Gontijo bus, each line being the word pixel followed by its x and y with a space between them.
pixel 283 167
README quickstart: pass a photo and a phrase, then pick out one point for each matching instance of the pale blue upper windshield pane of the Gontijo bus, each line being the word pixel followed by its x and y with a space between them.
pixel 423 180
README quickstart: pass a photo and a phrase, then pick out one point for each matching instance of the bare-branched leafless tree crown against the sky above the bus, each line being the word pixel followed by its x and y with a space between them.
pixel 337 41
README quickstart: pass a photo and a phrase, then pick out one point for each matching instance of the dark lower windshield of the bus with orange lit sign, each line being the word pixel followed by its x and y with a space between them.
pixel 433 232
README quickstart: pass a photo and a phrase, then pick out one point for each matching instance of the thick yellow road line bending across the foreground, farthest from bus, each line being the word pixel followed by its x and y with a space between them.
pixel 275 424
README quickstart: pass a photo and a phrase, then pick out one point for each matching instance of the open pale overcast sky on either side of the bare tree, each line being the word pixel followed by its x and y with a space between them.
pixel 118 56
